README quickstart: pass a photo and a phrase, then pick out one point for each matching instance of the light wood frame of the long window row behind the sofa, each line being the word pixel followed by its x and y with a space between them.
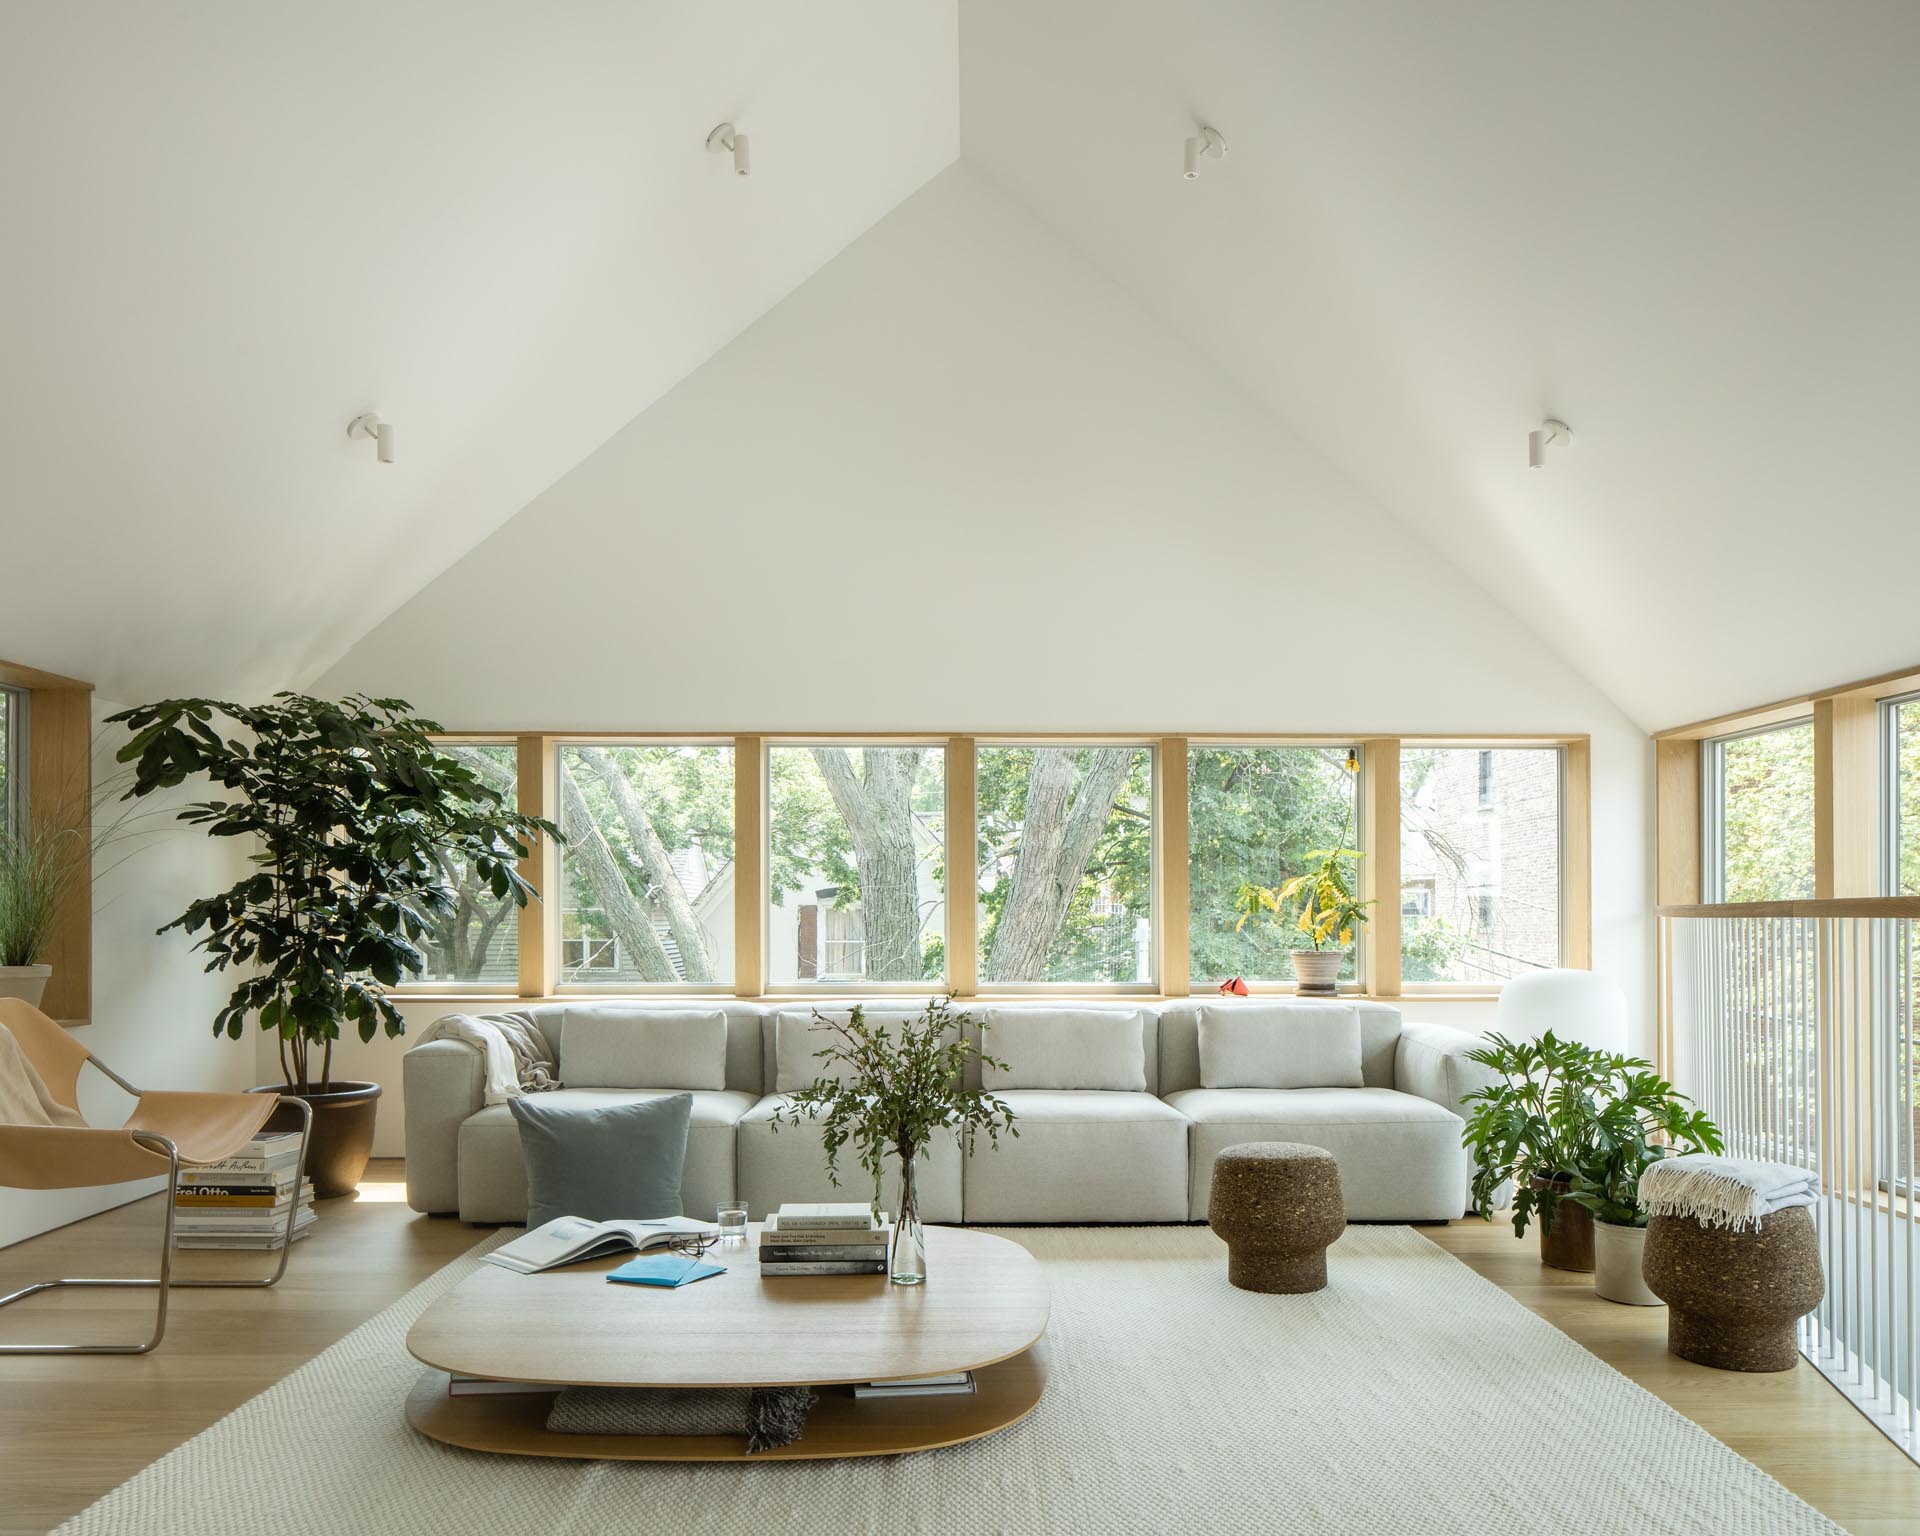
pixel 1380 842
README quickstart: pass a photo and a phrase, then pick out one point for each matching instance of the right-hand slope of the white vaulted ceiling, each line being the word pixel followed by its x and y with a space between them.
pixel 1687 229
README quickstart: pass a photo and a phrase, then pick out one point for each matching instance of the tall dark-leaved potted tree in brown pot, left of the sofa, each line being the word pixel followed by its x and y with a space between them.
pixel 350 809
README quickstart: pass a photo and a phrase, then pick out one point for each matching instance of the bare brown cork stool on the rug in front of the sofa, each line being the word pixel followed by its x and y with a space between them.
pixel 1278 1205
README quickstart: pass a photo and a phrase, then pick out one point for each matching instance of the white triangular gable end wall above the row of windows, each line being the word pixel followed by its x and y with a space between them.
pixel 957 483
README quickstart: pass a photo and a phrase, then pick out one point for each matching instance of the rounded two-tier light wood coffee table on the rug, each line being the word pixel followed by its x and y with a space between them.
pixel 984 1310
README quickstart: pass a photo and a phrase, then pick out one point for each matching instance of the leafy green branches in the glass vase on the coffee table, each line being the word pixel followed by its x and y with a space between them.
pixel 894 1090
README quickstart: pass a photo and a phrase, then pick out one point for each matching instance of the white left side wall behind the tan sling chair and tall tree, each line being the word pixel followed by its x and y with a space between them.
pixel 153 1005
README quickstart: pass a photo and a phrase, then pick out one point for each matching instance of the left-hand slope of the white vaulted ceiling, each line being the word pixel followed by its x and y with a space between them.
pixel 233 228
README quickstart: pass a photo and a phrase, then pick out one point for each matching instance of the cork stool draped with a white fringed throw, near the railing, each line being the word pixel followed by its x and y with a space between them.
pixel 1735 1297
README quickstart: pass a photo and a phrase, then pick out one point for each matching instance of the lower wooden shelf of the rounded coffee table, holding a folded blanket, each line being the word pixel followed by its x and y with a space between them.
pixel 840 1426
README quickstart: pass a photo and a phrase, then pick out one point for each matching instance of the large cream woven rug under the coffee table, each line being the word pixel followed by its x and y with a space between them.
pixel 1408 1397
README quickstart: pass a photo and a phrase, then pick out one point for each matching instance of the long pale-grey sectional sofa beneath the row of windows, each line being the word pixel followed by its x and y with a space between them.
pixel 1118 1120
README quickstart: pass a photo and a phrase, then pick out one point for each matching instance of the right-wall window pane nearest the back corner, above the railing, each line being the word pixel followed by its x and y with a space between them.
pixel 1758 819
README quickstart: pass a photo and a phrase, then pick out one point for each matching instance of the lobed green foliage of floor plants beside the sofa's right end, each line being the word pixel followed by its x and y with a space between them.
pixel 1583 1122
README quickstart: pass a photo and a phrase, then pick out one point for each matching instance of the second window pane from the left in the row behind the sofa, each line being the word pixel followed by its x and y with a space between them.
pixel 648 865
